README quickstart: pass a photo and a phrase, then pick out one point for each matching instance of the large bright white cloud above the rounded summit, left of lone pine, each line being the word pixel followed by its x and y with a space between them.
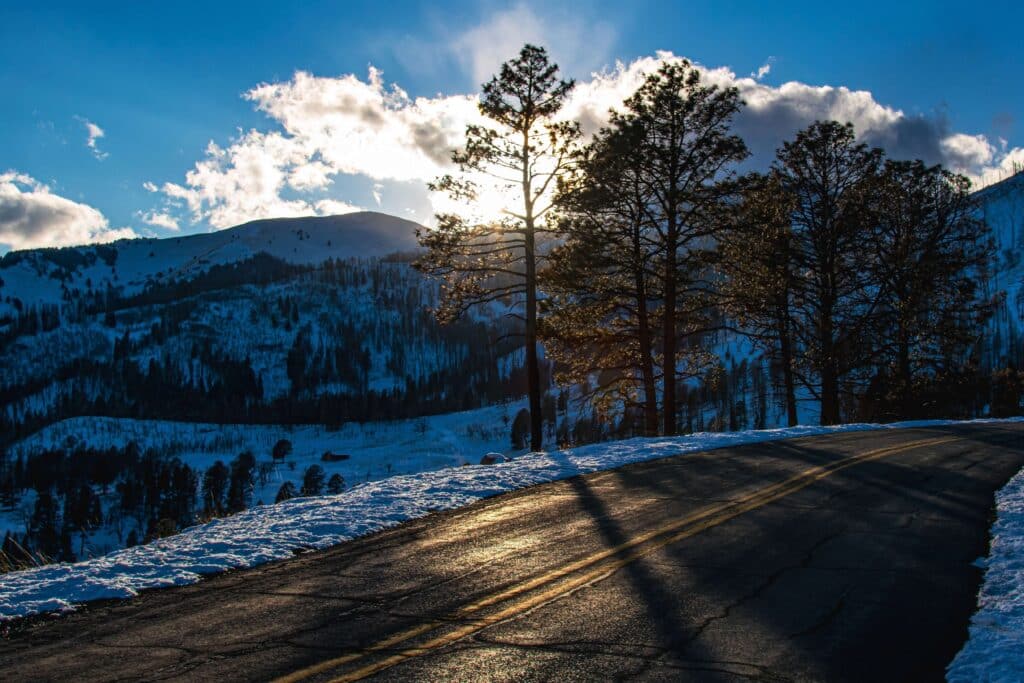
pixel 330 126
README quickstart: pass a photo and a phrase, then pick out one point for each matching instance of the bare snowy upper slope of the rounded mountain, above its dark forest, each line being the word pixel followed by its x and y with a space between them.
pixel 53 276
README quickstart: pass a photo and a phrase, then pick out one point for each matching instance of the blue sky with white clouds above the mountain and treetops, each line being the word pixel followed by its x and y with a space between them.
pixel 163 82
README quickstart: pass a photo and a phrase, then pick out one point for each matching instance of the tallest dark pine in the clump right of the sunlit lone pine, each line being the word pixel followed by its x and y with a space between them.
pixel 688 154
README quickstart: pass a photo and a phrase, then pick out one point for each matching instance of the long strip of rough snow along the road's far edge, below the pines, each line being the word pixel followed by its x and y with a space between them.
pixel 272 533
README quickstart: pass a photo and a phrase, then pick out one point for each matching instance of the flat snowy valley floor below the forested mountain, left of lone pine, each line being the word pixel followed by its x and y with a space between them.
pixel 375 450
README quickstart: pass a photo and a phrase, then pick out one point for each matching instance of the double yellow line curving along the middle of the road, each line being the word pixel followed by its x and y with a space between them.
pixel 560 582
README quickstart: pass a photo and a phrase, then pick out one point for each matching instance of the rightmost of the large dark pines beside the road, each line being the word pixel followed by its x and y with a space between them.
pixel 931 254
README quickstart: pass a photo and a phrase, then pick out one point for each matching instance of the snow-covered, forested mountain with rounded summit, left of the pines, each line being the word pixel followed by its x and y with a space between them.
pixel 289 321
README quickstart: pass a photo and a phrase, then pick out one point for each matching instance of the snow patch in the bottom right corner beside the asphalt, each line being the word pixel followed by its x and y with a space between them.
pixel 995 651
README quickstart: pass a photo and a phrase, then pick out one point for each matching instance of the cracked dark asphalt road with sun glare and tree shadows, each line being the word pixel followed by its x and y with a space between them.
pixel 840 559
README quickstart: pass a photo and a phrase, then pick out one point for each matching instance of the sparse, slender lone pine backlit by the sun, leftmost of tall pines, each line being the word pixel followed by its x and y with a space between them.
pixel 522 151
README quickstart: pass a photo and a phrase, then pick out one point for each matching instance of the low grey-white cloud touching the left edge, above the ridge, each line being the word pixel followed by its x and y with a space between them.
pixel 33 217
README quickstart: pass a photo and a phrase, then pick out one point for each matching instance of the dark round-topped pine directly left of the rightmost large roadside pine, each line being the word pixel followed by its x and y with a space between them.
pixel 830 178
